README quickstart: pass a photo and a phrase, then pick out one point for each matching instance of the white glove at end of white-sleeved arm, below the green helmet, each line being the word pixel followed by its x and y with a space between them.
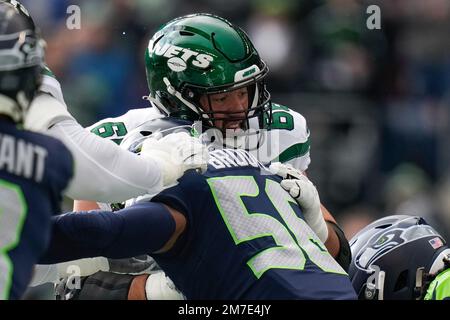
pixel 176 153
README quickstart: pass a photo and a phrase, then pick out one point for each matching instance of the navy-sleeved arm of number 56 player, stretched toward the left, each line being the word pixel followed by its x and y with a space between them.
pixel 141 229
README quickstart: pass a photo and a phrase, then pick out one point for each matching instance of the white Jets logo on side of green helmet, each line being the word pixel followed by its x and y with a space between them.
pixel 178 57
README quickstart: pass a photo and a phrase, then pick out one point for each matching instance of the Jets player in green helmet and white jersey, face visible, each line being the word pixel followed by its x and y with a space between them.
pixel 203 68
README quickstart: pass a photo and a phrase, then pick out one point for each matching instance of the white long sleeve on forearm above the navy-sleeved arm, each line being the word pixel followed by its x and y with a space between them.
pixel 103 171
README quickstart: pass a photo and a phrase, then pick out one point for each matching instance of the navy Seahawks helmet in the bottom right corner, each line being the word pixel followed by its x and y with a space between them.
pixel 392 257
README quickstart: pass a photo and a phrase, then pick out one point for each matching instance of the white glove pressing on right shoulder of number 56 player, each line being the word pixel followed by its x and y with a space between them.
pixel 305 194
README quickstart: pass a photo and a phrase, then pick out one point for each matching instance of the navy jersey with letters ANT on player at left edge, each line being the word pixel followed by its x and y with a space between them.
pixel 34 170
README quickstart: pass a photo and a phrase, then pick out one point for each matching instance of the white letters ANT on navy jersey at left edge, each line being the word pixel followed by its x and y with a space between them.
pixel 22 158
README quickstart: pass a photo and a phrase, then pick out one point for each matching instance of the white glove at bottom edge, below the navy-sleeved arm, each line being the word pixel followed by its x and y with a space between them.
pixel 159 287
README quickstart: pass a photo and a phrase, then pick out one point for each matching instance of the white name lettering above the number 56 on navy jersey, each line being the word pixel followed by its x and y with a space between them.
pixel 229 158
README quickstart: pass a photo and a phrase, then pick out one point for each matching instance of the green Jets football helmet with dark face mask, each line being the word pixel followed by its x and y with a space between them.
pixel 202 54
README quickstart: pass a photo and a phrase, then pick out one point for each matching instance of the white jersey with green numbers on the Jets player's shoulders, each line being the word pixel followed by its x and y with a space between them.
pixel 287 140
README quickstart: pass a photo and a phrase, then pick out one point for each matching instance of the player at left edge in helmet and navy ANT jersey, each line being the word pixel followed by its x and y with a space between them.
pixel 34 168
